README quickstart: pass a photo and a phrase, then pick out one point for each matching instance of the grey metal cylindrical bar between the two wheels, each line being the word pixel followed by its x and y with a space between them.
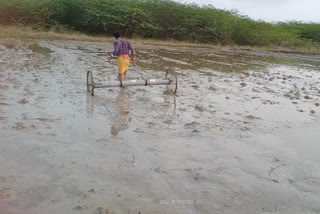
pixel 117 83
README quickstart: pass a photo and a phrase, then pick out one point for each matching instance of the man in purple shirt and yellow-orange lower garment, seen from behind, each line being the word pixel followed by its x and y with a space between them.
pixel 121 52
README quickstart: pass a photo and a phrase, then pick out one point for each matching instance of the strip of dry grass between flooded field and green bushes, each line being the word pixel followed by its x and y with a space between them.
pixel 7 33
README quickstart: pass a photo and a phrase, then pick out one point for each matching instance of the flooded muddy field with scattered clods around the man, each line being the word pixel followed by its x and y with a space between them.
pixel 241 135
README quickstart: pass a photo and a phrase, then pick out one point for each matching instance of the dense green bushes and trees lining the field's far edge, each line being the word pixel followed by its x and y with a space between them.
pixel 157 19
